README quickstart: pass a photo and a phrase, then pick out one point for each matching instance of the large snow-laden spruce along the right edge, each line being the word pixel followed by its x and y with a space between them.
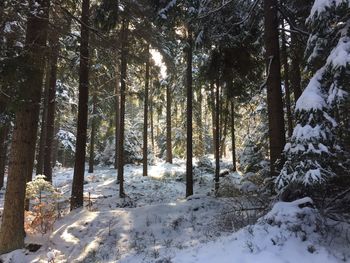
pixel 313 152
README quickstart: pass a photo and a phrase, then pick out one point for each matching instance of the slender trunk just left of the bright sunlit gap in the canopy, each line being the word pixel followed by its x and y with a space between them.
pixel 145 115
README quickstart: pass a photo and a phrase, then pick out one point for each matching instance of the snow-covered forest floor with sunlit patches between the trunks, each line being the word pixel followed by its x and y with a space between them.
pixel 155 223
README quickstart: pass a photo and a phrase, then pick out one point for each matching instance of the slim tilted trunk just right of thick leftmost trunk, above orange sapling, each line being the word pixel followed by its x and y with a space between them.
pixel 41 153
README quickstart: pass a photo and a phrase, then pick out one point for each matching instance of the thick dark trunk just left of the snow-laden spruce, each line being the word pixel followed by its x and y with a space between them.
pixel 274 93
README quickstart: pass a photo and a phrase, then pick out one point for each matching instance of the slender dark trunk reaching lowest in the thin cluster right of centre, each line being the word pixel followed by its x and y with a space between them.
pixel 217 135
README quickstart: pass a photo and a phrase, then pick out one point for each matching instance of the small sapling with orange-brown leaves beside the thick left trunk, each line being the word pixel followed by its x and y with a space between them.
pixel 43 213
